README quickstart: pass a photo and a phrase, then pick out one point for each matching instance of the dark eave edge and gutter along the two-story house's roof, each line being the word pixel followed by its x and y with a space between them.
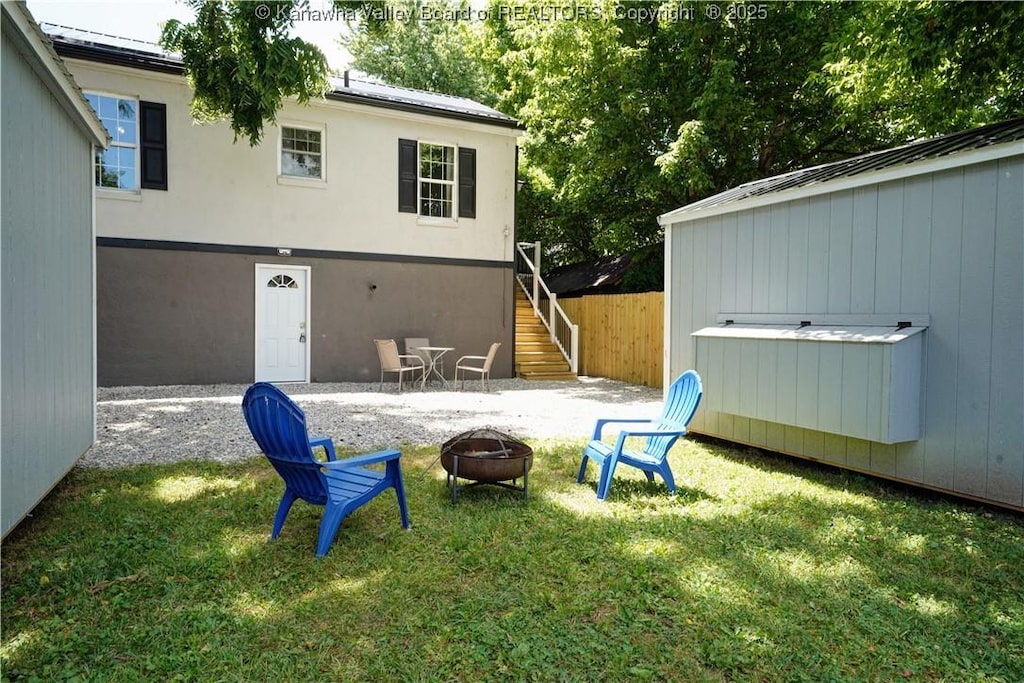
pixel 155 63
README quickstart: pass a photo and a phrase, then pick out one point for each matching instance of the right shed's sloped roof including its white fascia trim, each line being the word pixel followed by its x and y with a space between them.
pixel 993 142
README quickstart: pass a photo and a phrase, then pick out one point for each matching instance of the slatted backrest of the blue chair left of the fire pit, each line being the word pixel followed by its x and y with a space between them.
pixel 279 428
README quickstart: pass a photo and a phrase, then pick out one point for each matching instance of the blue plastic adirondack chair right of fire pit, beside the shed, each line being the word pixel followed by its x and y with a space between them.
pixel 680 406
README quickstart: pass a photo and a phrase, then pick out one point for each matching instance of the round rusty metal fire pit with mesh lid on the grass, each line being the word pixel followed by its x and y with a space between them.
pixel 487 457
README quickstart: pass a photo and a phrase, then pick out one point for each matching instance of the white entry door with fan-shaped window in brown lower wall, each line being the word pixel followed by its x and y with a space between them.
pixel 282 323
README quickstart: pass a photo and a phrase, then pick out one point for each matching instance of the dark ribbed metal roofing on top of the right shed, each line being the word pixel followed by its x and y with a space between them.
pixel 977 139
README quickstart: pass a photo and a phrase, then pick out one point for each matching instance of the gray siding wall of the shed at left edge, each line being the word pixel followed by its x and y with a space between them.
pixel 49 407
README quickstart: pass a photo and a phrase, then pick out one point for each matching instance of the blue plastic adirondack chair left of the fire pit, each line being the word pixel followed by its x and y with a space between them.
pixel 340 486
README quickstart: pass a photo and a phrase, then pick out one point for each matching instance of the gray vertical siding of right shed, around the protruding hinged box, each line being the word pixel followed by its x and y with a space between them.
pixel 948 244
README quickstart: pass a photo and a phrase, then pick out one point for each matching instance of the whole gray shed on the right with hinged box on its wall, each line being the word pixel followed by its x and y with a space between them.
pixel 868 314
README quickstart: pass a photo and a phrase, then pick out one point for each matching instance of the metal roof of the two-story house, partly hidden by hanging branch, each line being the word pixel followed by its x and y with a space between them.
pixel 106 49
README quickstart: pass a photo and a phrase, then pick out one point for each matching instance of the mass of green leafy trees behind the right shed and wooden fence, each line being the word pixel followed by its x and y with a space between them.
pixel 632 111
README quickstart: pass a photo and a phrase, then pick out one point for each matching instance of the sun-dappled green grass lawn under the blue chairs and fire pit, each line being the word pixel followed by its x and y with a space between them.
pixel 761 569
